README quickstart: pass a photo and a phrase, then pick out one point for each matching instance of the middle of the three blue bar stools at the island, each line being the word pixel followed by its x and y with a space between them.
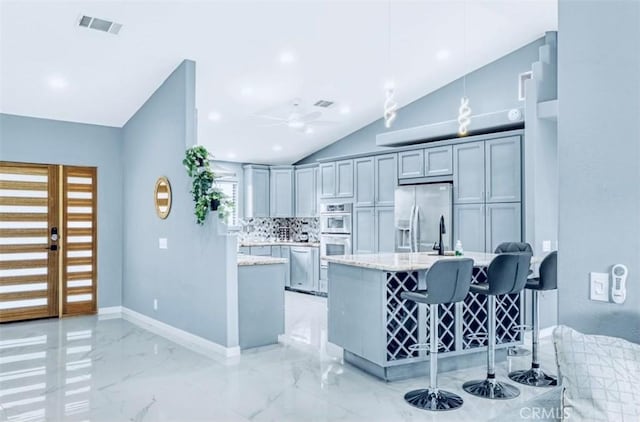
pixel 507 274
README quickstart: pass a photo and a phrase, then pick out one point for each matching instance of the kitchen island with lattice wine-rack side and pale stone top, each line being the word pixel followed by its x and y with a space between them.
pixel 376 328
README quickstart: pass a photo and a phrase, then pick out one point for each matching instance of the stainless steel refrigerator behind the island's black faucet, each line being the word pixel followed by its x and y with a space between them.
pixel 418 209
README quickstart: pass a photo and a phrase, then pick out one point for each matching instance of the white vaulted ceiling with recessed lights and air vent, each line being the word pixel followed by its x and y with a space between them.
pixel 254 58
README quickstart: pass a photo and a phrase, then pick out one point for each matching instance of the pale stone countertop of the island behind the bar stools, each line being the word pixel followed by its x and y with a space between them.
pixel 407 261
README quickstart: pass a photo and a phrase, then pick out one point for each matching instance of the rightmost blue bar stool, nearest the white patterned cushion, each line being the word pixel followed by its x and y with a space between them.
pixel 547 280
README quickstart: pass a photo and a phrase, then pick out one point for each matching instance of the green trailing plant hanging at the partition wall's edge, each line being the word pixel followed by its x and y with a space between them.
pixel 206 196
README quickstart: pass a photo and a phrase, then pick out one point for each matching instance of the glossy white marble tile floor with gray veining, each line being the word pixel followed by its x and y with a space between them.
pixel 94 369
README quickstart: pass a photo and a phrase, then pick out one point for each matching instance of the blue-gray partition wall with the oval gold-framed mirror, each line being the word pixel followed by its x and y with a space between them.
pixel 194 279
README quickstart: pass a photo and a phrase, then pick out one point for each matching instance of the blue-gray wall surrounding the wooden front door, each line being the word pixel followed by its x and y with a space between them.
pixel 32 140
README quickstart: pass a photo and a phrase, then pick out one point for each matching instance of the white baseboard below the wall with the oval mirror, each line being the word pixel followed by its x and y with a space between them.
pixel 182 337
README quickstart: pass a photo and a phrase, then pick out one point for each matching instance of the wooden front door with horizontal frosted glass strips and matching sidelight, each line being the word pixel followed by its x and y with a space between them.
pixel 47 241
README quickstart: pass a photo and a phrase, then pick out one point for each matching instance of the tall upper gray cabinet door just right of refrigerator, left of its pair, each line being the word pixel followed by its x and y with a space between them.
pixel 468 173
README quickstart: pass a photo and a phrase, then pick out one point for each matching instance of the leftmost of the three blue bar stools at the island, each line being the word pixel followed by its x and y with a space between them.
pixel 447 281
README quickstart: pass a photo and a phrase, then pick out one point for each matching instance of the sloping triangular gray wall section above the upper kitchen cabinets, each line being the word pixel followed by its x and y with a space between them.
pixel 493 87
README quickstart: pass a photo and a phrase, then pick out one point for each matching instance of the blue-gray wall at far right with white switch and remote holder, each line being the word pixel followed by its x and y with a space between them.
pixel 599 152
